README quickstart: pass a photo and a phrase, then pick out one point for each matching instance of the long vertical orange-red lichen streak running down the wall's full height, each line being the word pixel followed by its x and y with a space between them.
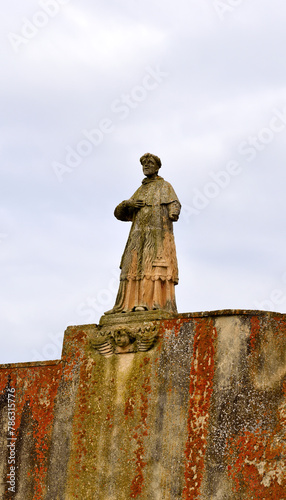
pixel 201 385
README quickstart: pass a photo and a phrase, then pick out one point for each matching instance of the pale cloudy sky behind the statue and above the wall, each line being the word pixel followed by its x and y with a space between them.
pixel 87 88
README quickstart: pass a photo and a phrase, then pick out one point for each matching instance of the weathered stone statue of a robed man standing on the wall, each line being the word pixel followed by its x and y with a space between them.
pixel 149 270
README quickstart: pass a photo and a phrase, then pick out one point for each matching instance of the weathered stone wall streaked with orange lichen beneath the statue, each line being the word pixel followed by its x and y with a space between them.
pixel 200 416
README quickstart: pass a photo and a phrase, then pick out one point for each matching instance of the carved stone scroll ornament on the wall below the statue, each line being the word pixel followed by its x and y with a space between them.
pixel 123 339
